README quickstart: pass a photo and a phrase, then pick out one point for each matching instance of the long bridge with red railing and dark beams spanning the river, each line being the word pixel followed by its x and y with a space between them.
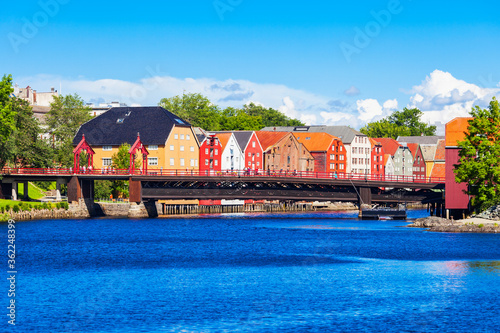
pixel 274 185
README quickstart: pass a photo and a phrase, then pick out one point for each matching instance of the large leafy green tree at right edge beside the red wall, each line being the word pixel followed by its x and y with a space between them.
pixel 480 157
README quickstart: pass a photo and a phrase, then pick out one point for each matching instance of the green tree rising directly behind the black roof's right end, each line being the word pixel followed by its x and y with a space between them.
pixel 195 109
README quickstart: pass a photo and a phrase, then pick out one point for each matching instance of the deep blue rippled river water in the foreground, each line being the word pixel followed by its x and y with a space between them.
pixel 310 272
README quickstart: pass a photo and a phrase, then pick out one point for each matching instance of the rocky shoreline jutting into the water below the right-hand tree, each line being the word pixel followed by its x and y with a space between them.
pixel 472 225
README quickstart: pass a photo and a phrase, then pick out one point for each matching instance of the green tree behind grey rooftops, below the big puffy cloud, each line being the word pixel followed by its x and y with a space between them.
pixel 399 123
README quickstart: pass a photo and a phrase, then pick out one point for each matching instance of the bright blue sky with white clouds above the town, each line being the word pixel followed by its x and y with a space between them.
pixel 323 62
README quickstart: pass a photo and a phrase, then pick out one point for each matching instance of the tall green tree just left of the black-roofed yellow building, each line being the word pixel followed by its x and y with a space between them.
pixel 66 115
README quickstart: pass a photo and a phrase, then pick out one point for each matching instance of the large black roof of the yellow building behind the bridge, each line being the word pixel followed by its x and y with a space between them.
pixel 120 125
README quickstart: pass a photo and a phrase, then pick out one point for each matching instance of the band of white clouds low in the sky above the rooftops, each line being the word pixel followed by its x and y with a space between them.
pixel 440 96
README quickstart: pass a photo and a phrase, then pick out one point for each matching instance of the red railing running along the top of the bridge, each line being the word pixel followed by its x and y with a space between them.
pixel 224 173
